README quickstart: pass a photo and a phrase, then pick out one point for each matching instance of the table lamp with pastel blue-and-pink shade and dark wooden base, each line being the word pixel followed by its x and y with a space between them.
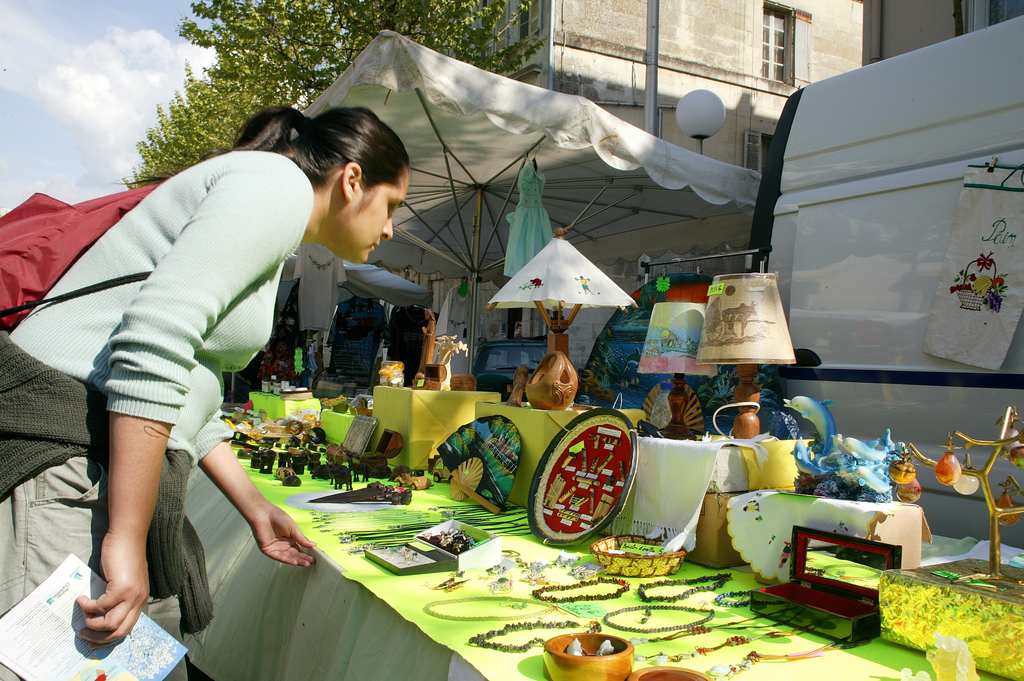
pixel 671 348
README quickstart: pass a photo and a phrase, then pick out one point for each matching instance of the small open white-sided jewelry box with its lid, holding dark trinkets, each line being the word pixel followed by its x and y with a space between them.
pixel 429 559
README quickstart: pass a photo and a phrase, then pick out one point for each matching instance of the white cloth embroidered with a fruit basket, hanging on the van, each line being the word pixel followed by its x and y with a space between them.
pixel 980 294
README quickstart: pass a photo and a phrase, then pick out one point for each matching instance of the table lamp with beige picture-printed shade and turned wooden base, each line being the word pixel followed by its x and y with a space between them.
pixel 745 325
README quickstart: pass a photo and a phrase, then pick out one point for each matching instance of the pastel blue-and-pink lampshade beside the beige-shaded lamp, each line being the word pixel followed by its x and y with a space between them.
pixel 673 338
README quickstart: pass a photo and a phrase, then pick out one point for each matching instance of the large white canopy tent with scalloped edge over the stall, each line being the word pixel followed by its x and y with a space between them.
pixel 468 134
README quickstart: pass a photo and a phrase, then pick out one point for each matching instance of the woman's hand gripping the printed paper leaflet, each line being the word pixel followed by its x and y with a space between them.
pixel 113 616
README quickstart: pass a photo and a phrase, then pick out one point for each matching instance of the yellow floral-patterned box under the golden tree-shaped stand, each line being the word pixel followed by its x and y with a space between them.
pixel 988 614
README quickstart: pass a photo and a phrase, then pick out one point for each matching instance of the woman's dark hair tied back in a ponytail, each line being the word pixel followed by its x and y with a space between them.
pixel 335 138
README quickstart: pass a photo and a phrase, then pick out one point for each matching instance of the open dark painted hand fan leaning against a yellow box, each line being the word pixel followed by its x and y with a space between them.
pixel 483 456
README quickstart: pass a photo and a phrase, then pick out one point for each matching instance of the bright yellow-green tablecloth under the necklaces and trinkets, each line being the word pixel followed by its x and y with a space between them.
pixel 407 595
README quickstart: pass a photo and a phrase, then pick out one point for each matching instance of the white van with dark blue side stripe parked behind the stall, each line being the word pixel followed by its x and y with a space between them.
pixel 866 173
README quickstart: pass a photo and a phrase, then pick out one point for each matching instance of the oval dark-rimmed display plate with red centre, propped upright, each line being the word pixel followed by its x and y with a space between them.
pixel 584 478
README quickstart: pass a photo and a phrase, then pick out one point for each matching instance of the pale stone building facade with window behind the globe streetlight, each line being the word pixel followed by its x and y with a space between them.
pixel 753 54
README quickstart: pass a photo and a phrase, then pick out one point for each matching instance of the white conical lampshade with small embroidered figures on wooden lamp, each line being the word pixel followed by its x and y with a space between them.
pixel 559 277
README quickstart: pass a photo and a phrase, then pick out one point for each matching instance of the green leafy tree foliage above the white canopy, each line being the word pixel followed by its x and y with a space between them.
pixel 273 53
